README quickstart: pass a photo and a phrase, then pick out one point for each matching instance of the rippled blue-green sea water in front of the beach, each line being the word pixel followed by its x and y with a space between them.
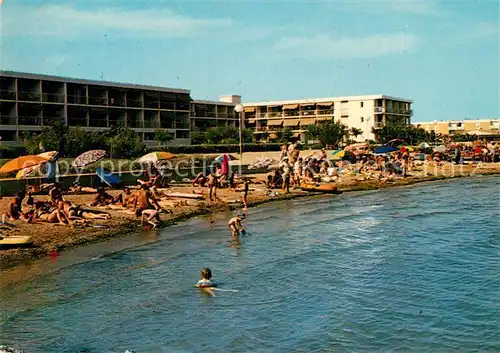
pixel 408 269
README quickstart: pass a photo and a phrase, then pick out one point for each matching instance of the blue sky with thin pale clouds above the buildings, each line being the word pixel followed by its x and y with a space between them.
pixel 444 55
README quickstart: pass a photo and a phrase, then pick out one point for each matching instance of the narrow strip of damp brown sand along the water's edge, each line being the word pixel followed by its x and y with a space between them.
pixel 122 226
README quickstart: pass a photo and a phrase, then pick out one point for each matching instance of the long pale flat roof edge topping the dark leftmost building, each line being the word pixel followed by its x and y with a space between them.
pixel 26 75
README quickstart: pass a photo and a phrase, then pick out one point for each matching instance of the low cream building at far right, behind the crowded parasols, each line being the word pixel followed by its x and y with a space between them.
pixel 487 128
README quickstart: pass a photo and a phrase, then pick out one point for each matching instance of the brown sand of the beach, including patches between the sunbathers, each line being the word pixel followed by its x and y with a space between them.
pixel 49 237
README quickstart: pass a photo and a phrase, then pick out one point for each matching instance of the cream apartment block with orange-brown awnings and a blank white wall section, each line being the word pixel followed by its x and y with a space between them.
pixel 361 112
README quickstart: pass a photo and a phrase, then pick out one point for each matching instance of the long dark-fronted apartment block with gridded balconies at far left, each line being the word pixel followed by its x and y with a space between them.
pixel 30 101
